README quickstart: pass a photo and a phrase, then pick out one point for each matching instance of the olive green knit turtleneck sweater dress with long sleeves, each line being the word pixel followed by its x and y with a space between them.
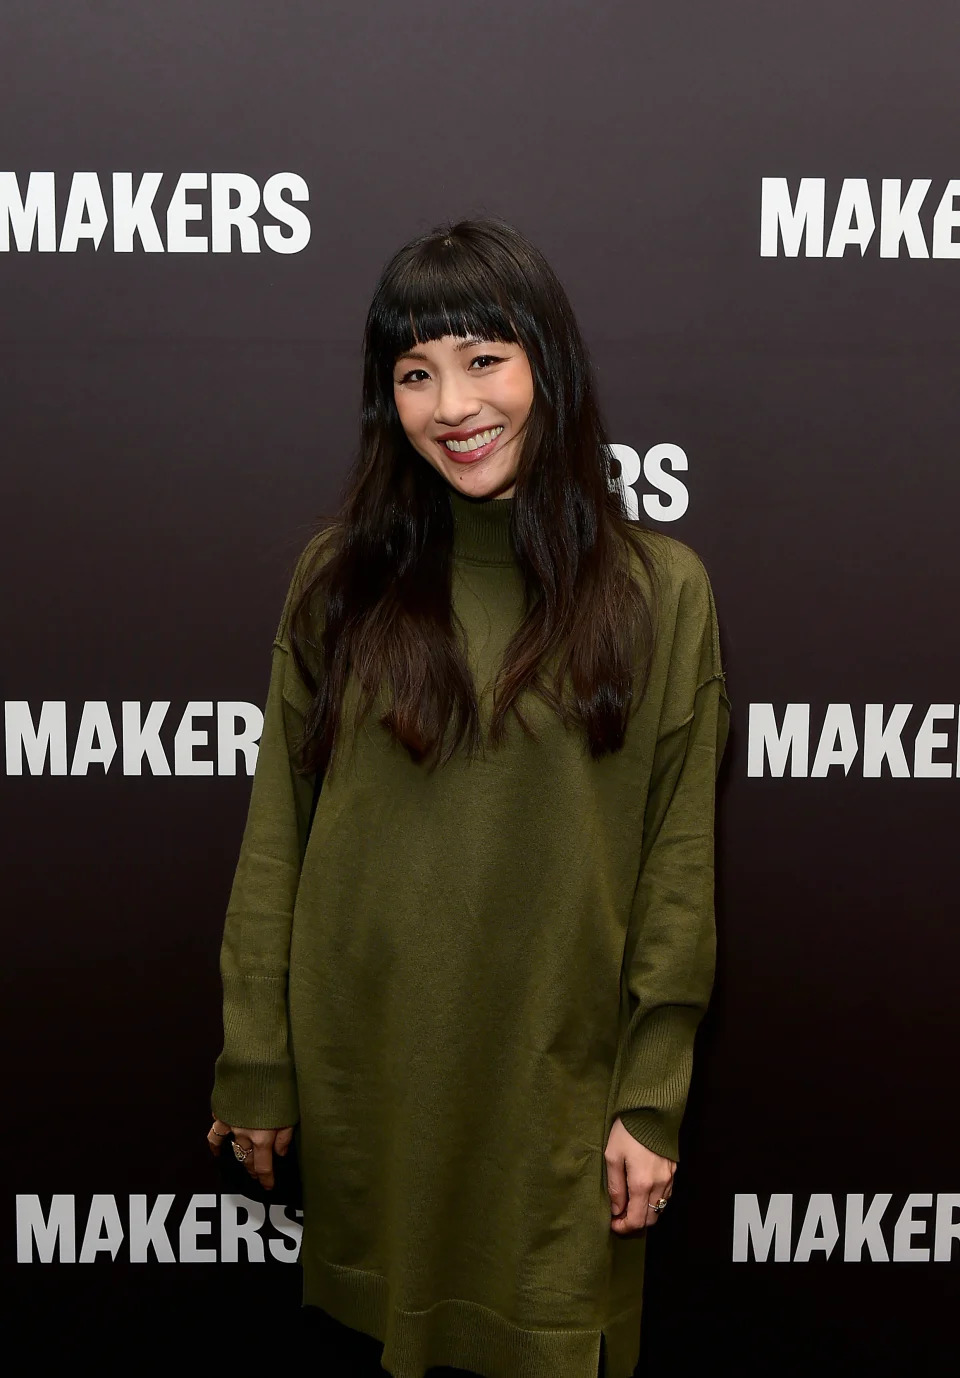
pixel 455 982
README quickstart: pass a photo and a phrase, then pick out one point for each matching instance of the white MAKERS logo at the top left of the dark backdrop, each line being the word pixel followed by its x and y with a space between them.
pixel 225 202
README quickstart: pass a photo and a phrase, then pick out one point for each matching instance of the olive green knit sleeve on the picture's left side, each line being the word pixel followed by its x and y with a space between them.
pixel 255 1082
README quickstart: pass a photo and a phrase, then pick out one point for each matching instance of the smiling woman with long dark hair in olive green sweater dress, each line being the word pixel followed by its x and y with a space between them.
pixel 472 931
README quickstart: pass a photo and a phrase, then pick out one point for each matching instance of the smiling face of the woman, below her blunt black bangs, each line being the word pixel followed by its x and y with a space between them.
pixel 459 388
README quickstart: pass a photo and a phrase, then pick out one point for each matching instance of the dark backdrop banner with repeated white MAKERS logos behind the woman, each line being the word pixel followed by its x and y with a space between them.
pixel 757 213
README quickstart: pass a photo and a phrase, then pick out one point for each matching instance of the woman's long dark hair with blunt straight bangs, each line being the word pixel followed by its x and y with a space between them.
pixel 375 599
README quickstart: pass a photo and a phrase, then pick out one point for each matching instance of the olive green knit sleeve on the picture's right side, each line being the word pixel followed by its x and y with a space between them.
pixel 671 949
